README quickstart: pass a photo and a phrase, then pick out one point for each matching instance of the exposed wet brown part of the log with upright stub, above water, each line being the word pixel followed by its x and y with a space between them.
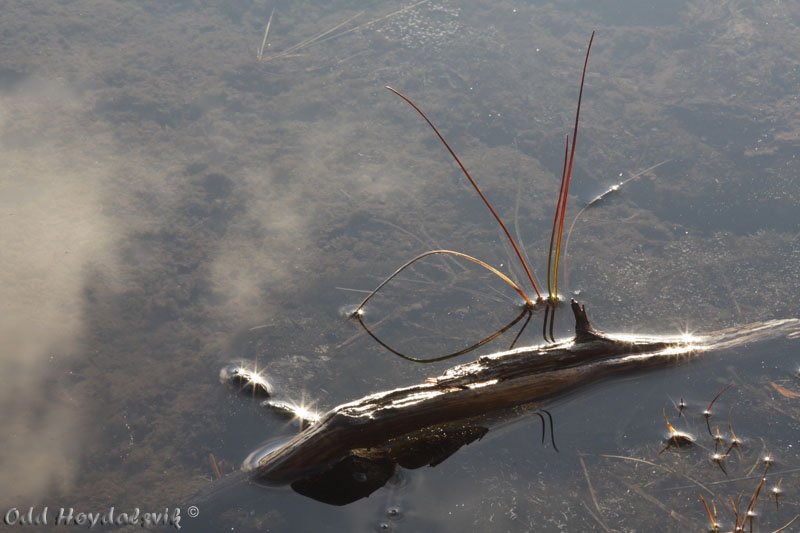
pixel 490 383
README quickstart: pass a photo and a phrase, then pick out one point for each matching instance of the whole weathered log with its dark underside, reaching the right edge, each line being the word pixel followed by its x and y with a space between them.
pixel 360 443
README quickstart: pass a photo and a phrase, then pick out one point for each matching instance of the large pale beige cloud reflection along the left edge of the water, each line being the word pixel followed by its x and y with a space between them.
pixel 54 231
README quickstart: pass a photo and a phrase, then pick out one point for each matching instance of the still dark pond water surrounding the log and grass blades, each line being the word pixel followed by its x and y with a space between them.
pixel 171 203
